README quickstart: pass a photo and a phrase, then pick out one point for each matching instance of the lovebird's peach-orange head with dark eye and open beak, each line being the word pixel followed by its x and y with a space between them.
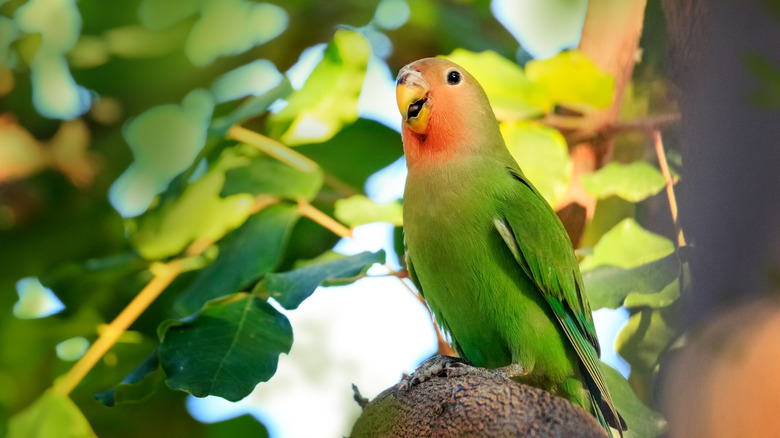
pixel 444 109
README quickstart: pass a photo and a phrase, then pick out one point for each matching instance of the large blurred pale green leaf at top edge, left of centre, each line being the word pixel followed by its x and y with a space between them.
pixel 230 27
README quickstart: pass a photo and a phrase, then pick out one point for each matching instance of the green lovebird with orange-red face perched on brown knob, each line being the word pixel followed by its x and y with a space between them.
pixel 485 249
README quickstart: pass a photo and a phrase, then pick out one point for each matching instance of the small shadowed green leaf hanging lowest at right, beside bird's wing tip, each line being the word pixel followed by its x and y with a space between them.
pixel 645 336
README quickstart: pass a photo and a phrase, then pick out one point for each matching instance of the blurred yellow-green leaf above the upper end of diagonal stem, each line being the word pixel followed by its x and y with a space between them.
pixel 199 213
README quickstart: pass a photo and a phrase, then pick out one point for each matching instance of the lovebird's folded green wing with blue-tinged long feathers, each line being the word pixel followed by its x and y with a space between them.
pixel 539 243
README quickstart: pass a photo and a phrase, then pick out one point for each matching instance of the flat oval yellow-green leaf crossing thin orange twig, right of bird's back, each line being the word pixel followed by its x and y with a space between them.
pixel 633 182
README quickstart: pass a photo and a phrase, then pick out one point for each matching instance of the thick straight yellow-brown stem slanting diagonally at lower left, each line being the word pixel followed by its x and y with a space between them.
pixel 164 274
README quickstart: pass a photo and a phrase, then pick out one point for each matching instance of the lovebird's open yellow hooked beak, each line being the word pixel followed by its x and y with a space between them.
pixel 411 93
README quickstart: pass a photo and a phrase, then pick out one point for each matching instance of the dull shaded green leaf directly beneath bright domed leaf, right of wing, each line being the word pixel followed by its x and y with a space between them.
pixel 609 286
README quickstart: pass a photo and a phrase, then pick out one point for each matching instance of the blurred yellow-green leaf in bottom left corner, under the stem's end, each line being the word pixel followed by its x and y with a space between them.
pixel 50 416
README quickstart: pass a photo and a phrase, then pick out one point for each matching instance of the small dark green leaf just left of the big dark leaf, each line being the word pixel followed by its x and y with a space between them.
pixel 137 386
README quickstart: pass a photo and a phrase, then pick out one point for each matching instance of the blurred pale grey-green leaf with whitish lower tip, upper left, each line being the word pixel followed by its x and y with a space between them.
pixel 165 140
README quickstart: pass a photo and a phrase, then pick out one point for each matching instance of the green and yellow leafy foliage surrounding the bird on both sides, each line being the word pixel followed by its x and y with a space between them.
pixel 182 156
